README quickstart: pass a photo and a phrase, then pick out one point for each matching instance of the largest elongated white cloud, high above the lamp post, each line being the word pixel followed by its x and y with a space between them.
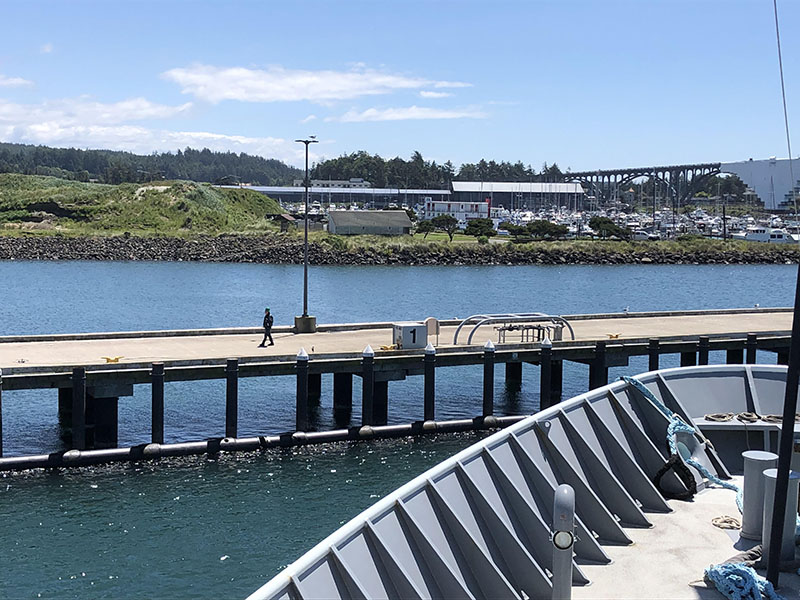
pixel 214 84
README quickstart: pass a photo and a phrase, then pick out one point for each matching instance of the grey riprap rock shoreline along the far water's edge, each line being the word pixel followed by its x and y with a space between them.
pixel 278 249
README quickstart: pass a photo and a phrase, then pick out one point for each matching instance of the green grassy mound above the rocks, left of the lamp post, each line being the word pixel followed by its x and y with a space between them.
pixel 49 204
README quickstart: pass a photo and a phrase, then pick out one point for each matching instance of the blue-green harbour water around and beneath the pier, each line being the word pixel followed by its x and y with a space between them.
pixel 210 527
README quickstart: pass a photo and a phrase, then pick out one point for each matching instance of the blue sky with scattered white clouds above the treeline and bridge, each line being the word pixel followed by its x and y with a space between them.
pixel 586 84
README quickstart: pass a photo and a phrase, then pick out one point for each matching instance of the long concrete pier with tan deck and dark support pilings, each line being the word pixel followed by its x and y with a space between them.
pixel 90 385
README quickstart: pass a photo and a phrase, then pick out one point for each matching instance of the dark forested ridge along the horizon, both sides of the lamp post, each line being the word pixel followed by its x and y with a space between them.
pixel 115 167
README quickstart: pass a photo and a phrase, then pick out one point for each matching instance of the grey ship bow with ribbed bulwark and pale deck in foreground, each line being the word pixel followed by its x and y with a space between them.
pixel 480 524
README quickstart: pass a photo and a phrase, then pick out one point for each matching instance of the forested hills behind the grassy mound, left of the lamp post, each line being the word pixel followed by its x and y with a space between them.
pixel 110 166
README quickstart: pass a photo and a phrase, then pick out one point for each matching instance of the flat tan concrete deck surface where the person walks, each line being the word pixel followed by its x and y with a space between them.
pixel 20 354
